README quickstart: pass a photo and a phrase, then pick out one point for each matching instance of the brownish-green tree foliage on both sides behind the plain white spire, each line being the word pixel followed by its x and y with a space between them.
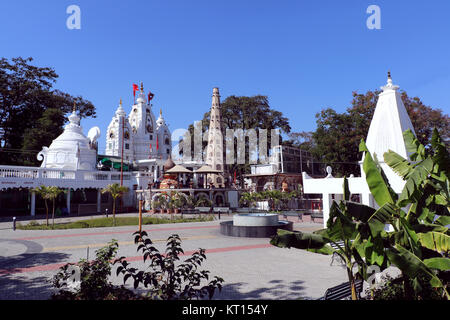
pixel 336 138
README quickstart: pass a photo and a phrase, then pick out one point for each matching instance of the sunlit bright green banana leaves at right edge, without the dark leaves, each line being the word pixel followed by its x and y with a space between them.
pixel 420 241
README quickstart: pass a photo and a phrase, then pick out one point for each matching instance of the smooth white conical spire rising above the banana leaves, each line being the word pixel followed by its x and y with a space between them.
pixel 389 121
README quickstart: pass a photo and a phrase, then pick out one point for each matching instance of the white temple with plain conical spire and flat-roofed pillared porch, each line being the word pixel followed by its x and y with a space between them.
pixel 386 129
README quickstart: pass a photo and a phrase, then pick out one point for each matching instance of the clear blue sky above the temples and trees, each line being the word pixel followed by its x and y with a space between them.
pixel 304 55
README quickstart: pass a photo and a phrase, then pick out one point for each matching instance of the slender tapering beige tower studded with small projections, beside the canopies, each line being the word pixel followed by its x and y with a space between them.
pixel 214 151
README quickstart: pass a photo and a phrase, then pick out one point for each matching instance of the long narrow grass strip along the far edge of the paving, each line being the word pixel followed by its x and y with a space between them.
pixel 108 222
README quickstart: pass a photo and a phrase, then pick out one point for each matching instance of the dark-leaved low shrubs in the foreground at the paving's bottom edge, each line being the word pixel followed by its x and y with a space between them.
pixel 164 279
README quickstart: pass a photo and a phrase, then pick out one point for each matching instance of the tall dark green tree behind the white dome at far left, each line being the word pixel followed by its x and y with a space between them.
pixel 26 92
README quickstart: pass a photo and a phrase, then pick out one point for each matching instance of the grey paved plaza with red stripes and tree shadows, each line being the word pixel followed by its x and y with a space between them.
pixel 251 268
